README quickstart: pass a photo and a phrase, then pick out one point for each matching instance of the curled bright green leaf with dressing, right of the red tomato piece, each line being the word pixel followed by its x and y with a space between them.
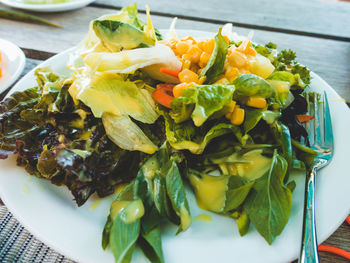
pixel 204 100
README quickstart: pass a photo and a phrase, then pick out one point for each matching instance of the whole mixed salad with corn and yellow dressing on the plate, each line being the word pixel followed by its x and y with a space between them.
pixel 150 115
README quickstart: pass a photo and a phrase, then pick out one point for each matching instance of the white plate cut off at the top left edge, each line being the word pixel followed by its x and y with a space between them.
pixel 59 7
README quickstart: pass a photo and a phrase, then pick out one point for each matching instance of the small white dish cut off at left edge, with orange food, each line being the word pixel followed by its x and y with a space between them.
pixel 11 64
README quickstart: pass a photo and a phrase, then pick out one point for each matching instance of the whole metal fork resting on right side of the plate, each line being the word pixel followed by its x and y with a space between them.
pixel 321 140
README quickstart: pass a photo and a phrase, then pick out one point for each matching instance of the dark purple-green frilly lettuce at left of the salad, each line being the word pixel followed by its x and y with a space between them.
pixel 62 141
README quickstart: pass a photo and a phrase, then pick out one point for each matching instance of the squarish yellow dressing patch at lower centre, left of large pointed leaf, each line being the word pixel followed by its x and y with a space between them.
pixel 210 191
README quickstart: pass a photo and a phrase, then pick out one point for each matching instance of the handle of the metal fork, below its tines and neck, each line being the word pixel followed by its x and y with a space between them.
pixel 308 252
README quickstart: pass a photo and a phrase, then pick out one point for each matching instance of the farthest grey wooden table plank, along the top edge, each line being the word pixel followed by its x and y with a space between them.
pixel 329 19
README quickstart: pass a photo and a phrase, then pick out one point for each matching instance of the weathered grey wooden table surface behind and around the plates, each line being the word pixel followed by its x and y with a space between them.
pixel 317 30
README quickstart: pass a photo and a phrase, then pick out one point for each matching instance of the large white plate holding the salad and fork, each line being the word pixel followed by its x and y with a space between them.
pixel 50 214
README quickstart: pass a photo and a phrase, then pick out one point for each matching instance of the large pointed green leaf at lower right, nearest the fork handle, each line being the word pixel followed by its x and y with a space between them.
pixel 270 202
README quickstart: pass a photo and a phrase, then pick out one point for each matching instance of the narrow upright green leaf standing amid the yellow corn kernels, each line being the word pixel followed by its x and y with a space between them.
pixel 215 65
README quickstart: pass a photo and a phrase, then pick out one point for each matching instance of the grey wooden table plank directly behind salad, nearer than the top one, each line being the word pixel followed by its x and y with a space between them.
pixel 328 58
